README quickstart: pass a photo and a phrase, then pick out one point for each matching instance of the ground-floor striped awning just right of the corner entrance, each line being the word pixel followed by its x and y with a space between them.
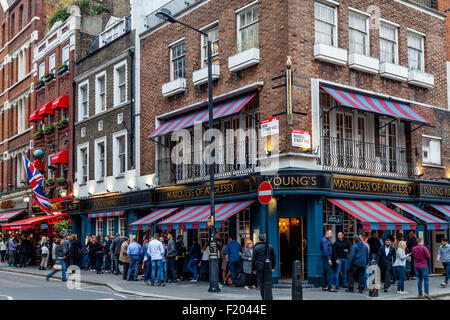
pixel 374 215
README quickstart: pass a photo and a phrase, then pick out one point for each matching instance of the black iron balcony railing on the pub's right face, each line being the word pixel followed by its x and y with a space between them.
pixel 365 158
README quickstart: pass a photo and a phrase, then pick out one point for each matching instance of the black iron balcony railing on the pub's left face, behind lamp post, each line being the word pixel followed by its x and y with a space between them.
pixel 231 160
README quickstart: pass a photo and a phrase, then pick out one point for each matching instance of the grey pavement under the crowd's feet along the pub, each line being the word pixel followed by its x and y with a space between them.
pixel 199 291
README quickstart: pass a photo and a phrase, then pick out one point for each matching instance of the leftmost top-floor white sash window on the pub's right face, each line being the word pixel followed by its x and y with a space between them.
pixel 325 24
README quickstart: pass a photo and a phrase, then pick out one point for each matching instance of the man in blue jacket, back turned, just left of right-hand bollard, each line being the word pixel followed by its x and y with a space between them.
pixel 358 259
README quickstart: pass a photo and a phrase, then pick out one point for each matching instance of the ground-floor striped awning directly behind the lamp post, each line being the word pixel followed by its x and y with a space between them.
pixel 195 217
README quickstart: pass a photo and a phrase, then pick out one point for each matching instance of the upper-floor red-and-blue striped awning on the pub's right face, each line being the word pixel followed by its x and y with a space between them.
pixel 376 105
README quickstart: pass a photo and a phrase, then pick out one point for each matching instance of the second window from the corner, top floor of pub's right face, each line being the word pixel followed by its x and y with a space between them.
pixel 358 33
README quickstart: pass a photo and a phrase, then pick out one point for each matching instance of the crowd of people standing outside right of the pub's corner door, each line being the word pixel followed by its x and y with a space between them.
pixel 396 261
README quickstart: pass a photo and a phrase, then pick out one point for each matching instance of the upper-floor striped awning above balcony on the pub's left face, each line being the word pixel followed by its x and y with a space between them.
pixel 223 109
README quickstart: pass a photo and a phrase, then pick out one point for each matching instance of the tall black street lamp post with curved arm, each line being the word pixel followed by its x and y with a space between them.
pixel 166 15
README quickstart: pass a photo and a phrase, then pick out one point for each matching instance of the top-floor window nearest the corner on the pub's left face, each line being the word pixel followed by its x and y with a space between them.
pixel 248 29
